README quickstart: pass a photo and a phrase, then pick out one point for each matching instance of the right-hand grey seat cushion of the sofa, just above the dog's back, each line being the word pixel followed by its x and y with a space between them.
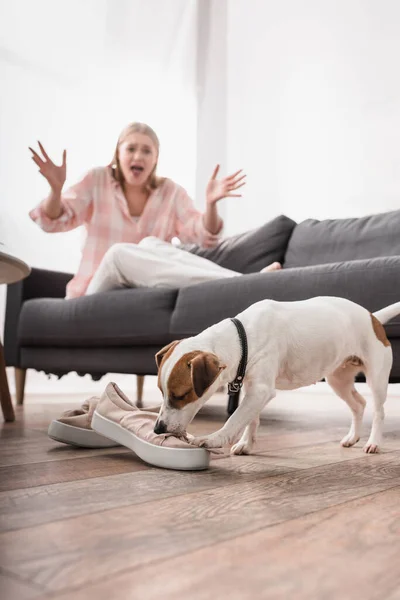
pixel 372 283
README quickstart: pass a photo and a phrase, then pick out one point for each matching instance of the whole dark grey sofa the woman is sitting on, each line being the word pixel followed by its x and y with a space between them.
pixel 120 331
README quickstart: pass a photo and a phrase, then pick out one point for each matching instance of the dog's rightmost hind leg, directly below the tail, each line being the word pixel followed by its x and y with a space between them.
pixel 377 377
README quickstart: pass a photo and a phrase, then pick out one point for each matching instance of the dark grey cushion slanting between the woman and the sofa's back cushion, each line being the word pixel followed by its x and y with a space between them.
pixel 249 252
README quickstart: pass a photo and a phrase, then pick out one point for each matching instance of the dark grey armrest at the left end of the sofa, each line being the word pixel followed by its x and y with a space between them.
pixel 39 284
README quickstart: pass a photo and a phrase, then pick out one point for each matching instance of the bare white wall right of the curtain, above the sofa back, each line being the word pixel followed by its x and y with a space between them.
pixel 313 107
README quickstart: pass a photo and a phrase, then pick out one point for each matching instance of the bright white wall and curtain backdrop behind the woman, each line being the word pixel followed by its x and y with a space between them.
pixel 304 96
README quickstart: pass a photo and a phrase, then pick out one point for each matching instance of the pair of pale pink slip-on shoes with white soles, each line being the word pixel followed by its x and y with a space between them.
pixel 113 420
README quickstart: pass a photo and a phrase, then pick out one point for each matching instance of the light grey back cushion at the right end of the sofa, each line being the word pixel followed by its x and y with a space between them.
pixel 334 240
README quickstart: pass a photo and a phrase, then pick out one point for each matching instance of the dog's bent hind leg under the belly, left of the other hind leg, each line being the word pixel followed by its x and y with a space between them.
pixel 342 383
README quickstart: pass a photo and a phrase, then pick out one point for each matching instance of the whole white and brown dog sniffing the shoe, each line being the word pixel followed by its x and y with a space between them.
pixel 290 345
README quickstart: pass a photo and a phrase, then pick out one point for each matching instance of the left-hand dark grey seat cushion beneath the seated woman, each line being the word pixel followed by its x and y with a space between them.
pixel 138 316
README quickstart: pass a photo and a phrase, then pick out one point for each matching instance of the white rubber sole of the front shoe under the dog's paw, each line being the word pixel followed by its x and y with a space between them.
pixel 182 459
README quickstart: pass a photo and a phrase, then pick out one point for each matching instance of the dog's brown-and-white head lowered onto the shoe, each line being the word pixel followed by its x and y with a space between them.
pixel 184 379
